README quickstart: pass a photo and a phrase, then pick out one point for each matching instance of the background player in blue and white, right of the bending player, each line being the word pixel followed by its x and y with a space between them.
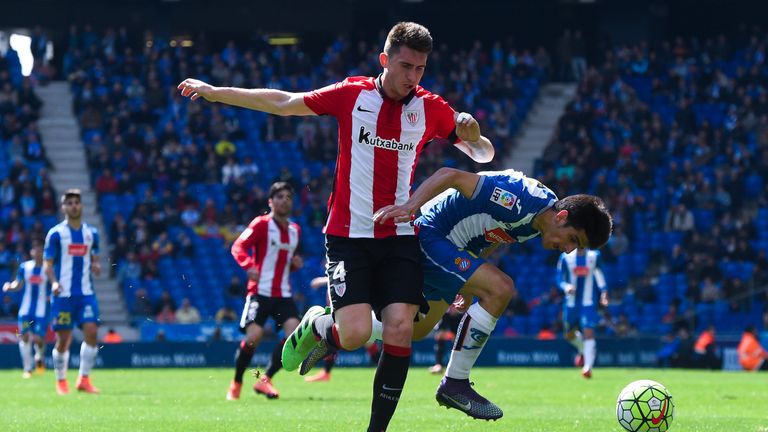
pixel 582 281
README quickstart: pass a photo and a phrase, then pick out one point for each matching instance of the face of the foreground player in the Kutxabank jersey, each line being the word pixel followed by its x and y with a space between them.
pixel 402 71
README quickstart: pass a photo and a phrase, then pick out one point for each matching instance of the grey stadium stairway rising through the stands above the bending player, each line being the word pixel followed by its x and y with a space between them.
pixel 539 127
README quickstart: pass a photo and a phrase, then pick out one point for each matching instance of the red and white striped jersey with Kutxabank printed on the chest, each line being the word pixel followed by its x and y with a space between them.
pixel 379 144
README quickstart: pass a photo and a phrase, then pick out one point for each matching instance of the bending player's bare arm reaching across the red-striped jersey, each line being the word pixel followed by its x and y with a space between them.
pixel 441 180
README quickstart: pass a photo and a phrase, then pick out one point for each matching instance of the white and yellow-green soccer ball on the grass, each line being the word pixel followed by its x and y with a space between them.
pixel 645 406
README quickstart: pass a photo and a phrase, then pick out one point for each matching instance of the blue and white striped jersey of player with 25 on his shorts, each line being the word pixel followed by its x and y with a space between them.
pixel 71 251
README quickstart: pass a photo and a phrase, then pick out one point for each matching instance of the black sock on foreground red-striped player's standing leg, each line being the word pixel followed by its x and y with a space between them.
pixel 388 385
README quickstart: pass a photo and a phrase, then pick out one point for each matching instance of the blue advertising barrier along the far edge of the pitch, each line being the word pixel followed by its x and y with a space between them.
pixel 214 346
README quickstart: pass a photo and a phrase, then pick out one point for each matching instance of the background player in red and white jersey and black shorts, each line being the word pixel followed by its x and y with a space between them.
pixel 266 250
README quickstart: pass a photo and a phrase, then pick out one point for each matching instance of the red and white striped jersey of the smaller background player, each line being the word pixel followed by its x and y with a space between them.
pixel 269 247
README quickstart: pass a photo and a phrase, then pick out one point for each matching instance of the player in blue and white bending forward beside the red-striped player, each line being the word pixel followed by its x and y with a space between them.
pixel 459 228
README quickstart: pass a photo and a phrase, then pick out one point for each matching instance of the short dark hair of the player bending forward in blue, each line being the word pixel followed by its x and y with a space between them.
pixel 589 213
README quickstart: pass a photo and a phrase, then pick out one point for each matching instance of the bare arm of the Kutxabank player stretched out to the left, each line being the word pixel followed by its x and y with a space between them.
pixel 267 100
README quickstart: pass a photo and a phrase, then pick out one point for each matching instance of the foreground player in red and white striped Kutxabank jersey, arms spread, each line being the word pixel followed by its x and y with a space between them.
pixel 384 124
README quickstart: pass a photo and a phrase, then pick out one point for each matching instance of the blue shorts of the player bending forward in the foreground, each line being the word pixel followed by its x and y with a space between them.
pixel 447 267
